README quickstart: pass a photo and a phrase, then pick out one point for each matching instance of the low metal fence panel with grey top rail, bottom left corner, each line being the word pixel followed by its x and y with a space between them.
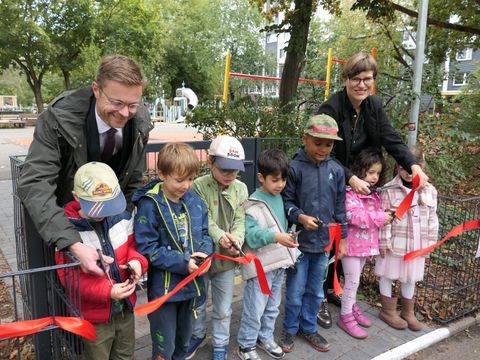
pixel 51 342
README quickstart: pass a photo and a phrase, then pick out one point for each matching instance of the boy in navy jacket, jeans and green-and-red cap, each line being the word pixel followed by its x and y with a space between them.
pixel 313 197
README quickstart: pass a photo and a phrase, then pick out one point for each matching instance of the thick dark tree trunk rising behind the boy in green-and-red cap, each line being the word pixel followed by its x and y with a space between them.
pixel 300 24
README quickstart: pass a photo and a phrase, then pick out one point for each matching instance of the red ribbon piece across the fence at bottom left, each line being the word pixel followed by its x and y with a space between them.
pixel 27 327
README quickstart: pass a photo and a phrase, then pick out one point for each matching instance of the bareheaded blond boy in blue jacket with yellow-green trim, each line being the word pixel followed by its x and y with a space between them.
pixel 171 228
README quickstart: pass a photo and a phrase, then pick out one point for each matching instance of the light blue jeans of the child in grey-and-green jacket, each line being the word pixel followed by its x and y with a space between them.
pixel 260 311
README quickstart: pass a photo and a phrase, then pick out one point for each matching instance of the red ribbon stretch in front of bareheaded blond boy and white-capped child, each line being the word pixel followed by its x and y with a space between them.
pixel 153 305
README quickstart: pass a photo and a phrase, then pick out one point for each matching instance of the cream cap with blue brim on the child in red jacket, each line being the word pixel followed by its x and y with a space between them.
pixel 98 190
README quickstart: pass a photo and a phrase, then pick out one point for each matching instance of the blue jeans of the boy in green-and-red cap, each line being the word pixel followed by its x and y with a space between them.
pixel 304 293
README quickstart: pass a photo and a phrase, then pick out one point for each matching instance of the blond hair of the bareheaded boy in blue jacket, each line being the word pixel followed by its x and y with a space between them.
pixel 178 158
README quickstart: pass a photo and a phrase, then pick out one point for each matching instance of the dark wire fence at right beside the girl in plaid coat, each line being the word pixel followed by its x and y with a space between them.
pixel 451 285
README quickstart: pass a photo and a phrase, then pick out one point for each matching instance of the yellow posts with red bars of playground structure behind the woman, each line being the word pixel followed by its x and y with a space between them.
pixel 326 82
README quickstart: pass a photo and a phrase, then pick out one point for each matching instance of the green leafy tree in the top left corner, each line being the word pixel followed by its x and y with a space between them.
pixel 39 36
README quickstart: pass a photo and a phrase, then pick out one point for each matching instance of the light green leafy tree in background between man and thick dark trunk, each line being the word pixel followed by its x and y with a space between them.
pixel 194 53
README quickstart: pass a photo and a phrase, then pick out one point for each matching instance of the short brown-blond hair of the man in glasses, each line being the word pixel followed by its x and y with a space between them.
pixel 121 69
